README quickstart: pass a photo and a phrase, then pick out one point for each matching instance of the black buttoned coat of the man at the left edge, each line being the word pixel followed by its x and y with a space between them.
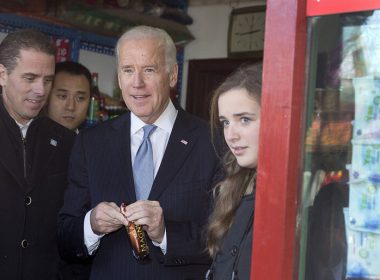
pixel 33 177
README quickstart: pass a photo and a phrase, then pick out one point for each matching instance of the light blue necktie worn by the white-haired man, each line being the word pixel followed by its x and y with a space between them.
pixel 143 172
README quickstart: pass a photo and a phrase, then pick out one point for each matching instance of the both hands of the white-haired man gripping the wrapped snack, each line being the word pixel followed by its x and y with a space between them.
pixel 106 217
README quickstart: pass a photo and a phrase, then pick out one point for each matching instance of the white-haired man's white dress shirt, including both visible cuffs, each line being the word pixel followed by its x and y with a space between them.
pixel 159 138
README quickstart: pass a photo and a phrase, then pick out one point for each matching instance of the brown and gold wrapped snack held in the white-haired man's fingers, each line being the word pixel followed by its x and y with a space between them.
pixel 136 236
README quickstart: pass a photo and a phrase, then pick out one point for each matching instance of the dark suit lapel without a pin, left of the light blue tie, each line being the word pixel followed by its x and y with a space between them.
pixel 121 153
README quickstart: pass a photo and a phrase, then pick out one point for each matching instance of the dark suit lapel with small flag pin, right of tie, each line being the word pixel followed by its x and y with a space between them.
pixel 181 142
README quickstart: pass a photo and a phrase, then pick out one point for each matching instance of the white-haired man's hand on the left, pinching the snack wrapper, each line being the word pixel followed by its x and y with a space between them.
pixel 106 218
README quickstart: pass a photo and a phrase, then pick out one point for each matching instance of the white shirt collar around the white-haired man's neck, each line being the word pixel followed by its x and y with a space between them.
pixel 165 121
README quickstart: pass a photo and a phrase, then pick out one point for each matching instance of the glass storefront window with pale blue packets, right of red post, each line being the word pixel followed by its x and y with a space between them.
pixel 340 228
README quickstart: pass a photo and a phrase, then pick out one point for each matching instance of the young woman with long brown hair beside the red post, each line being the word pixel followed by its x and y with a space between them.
pixel 235 108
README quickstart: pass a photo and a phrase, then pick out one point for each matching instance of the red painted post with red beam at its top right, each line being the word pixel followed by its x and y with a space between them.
pixel 276 224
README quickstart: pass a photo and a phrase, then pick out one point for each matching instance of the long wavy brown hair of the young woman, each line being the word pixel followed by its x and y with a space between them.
pixel 238 181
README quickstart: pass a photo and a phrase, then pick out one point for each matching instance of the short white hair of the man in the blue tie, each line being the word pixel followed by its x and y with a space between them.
pixel 148 32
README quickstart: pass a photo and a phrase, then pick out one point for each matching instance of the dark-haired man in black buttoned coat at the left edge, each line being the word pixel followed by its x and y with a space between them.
pixel 34 155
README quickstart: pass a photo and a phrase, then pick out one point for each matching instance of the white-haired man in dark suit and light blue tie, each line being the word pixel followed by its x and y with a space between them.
pixel 103 162
